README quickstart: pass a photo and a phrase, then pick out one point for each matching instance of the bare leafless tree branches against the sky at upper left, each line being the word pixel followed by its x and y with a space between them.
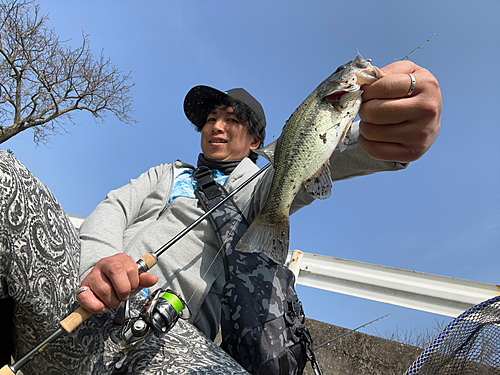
pixel 44 82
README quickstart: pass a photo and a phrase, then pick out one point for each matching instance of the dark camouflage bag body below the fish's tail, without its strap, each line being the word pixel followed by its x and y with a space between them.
pixel 261 314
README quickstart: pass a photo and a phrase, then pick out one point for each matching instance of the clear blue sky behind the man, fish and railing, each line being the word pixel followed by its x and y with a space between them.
pixel 441 215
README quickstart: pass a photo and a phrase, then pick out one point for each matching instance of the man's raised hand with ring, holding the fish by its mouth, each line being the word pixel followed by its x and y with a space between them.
pixel 398 128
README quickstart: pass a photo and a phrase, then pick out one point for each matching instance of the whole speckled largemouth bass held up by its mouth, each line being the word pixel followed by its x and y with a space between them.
pixel 300 156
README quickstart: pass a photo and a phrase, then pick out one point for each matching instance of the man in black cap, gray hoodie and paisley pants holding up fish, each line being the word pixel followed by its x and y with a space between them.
pixel 40 254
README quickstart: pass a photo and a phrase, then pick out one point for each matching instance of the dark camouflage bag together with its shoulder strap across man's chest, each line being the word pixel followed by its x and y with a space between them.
pixel 261 314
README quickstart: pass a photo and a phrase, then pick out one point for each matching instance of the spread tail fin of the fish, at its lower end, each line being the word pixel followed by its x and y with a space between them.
pixel 271 239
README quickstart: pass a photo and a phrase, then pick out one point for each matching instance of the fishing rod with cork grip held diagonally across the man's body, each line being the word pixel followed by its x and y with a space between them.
pixel 144 264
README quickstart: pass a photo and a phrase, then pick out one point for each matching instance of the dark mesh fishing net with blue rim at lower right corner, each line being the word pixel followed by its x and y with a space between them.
pixel 470 344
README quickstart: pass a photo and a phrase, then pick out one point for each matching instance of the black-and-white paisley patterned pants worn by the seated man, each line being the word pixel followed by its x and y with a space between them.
pixel 39 261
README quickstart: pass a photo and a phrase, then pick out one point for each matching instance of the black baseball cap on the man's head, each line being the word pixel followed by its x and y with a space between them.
pixel 200 99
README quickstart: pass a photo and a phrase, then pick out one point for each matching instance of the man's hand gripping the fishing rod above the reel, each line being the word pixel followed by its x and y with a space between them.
pixel 111 281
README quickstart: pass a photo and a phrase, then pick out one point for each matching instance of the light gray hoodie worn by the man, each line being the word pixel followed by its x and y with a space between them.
pixel 137 219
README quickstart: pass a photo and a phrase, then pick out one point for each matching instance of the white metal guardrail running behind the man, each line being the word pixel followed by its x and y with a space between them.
pixel 415 290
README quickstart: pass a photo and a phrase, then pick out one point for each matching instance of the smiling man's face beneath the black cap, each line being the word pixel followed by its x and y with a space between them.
pixel 225 138
